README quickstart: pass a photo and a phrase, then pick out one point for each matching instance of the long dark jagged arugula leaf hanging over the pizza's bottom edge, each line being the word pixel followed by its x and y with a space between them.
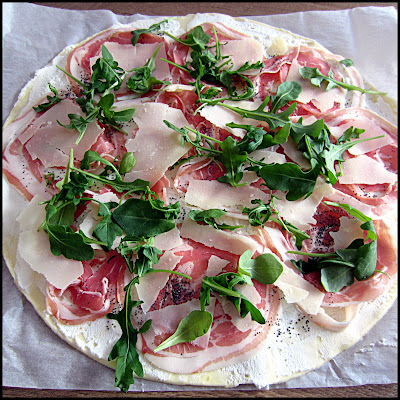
pixel 124 349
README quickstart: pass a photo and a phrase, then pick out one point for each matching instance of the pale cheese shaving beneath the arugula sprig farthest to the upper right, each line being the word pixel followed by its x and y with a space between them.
pixel 323 100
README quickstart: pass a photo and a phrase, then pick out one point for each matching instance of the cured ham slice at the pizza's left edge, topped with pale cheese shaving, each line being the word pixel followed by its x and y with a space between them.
pixel 45 144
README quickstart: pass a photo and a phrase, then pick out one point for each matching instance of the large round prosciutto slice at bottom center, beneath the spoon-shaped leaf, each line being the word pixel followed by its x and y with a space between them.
pixel 230 338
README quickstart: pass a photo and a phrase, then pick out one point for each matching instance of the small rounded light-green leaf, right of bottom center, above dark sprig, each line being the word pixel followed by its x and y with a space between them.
pixel 265 268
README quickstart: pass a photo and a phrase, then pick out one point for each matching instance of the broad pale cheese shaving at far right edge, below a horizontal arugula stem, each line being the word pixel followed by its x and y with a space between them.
pixel 364 169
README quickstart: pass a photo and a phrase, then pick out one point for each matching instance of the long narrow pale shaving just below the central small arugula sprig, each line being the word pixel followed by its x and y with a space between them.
pixel 222 240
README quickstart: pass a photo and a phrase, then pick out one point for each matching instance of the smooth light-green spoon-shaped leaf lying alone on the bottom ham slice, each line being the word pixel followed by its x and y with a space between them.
pixel 194 325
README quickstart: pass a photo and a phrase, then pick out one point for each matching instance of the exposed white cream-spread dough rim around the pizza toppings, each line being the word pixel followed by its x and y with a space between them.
pixel 306 351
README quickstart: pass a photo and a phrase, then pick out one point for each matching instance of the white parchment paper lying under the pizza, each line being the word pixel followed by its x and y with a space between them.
pixel 33 356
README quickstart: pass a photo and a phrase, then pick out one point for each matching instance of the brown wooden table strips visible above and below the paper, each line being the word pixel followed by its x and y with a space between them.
pixel 234 9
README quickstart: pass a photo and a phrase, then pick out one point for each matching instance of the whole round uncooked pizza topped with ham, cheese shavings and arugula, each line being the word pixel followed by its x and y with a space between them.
pixel 76 297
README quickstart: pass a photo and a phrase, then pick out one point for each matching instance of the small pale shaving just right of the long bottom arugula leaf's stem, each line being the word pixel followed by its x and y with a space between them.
pixel 149 286
